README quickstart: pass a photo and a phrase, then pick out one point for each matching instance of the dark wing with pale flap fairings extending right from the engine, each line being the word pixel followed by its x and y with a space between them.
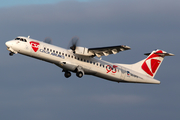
pixel 105 51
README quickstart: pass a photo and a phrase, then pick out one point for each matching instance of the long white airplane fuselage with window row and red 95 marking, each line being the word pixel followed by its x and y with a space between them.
pixel 70 61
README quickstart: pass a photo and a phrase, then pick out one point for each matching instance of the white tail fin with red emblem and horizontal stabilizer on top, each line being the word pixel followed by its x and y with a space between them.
pixel 151 64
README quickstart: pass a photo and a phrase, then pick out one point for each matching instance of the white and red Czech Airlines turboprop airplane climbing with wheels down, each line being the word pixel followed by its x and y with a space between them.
pixel 83 61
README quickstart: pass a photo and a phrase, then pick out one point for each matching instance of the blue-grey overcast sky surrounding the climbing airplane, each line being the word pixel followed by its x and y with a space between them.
pixel 35 90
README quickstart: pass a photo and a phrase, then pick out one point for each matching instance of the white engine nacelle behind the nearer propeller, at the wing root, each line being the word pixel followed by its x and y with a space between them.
pixel 83 51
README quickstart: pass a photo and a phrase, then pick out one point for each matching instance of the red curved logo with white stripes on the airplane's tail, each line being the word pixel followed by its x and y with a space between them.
pixel 152 63
